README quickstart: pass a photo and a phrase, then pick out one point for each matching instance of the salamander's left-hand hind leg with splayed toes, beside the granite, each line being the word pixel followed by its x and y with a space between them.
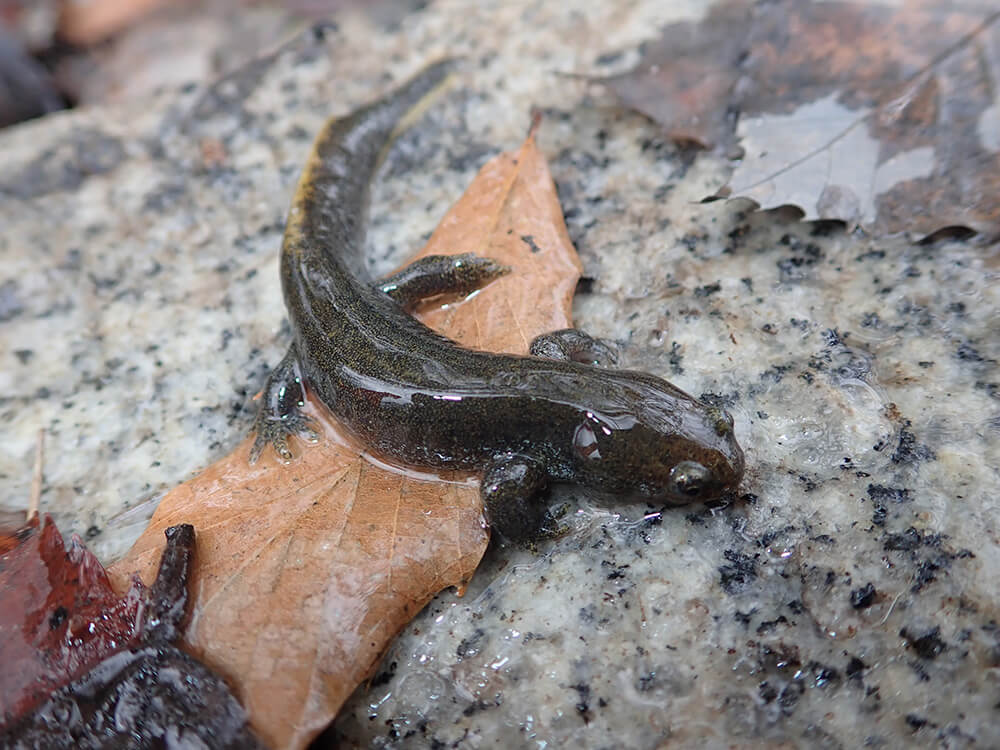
pixel 280 412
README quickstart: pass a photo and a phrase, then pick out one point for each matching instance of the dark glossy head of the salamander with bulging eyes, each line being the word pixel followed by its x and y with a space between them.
pixel 653 439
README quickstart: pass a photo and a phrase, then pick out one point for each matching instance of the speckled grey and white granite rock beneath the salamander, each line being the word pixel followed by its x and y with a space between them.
pixel 849 600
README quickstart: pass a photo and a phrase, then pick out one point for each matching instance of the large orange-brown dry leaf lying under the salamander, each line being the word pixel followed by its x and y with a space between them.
pixel 305 572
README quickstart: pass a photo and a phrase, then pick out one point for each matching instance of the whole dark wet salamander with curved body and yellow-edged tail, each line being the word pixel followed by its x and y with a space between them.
pixel 412 394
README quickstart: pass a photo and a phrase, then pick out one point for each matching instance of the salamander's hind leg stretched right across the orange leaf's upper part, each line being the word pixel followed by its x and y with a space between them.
pixel 441 274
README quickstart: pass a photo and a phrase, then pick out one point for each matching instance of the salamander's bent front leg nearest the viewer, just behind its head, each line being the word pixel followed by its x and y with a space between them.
pixel 510 490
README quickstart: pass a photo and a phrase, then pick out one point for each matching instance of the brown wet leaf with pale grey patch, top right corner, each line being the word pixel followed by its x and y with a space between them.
pixel 887 117
